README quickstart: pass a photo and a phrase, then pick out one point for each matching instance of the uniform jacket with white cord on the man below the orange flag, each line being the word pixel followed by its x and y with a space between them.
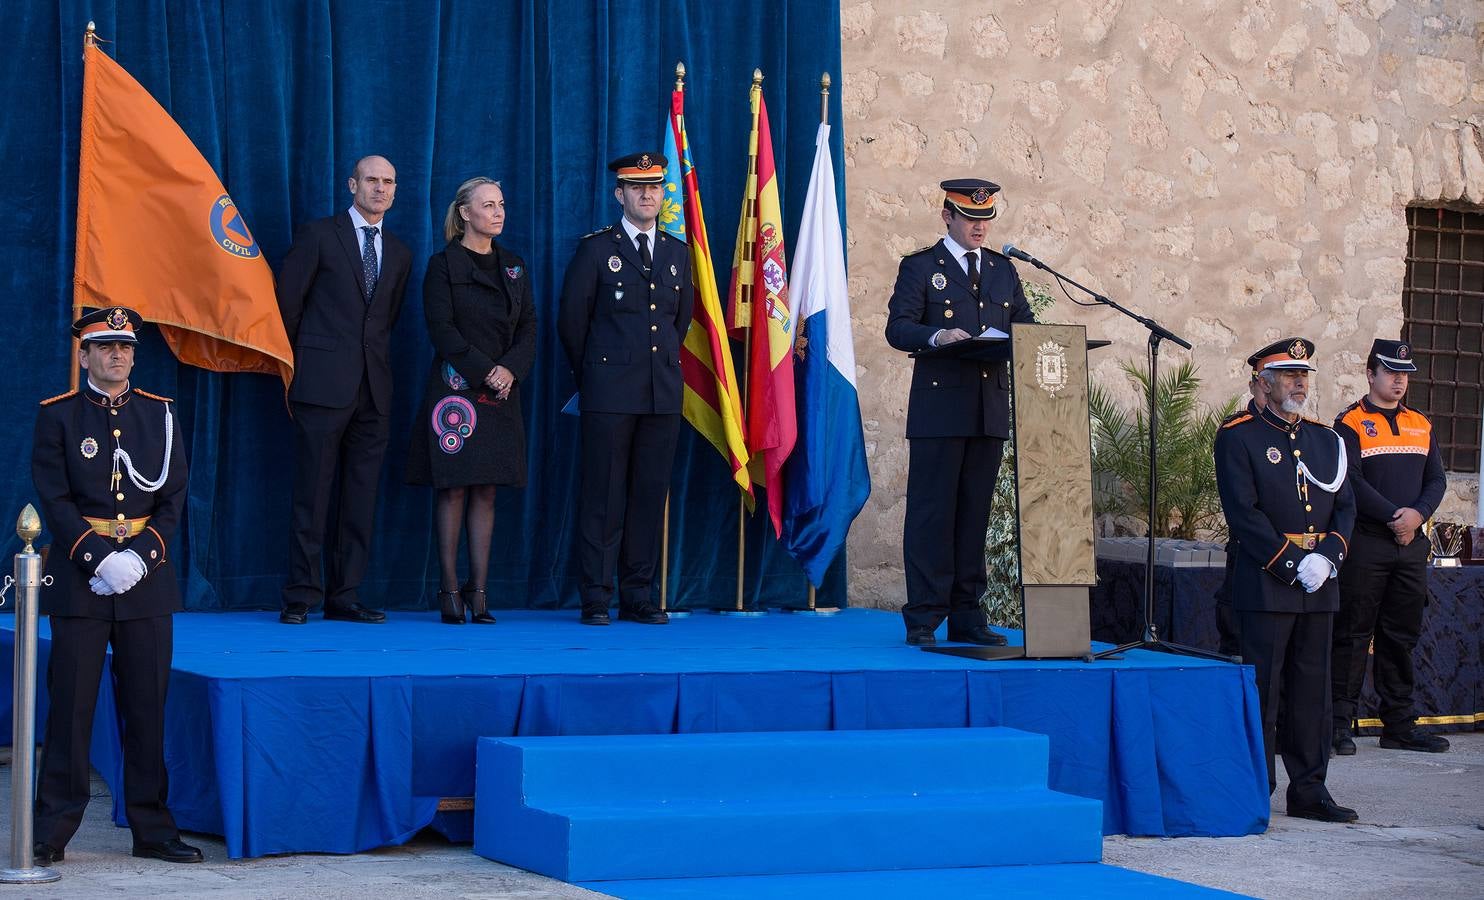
pixel 72 466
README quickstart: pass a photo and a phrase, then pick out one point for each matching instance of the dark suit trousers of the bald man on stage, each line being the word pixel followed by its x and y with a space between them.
pixel 351 440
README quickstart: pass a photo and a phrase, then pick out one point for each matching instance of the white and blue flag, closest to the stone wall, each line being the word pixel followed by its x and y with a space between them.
pixel 826 479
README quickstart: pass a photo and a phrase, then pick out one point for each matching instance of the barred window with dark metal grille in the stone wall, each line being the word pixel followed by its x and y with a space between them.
pixel 1443 304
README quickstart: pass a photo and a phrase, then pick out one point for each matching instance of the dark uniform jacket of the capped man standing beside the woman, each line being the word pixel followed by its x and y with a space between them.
pixel 621 329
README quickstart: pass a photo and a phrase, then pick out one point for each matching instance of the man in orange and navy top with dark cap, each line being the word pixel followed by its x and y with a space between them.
pixel 1397 475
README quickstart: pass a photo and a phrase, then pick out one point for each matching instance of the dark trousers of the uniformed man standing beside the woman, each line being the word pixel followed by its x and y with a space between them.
pixel 627 463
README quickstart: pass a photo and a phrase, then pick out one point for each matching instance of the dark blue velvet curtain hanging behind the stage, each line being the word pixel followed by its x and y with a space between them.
pixel 281 97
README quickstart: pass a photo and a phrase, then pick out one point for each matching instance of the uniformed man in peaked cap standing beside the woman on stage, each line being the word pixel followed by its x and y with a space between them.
pixel 626 308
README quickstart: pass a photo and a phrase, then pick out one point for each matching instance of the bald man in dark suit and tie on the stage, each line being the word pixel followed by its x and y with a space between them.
pixel 341 290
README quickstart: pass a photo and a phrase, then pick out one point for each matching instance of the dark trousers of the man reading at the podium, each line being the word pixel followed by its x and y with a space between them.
pixel 951 488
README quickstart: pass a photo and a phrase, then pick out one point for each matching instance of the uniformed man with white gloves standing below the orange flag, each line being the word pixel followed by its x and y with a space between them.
pixel 111 472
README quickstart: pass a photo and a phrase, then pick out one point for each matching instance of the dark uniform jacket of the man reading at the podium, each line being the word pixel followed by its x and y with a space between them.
pixel 953 399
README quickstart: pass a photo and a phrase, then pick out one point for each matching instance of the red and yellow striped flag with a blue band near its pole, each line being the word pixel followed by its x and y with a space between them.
pixel 713 400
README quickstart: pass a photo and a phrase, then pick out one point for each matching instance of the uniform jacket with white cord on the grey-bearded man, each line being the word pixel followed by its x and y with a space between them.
pixel 1267 500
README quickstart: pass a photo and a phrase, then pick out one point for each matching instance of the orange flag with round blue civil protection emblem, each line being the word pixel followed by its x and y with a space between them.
pixel 158 232
